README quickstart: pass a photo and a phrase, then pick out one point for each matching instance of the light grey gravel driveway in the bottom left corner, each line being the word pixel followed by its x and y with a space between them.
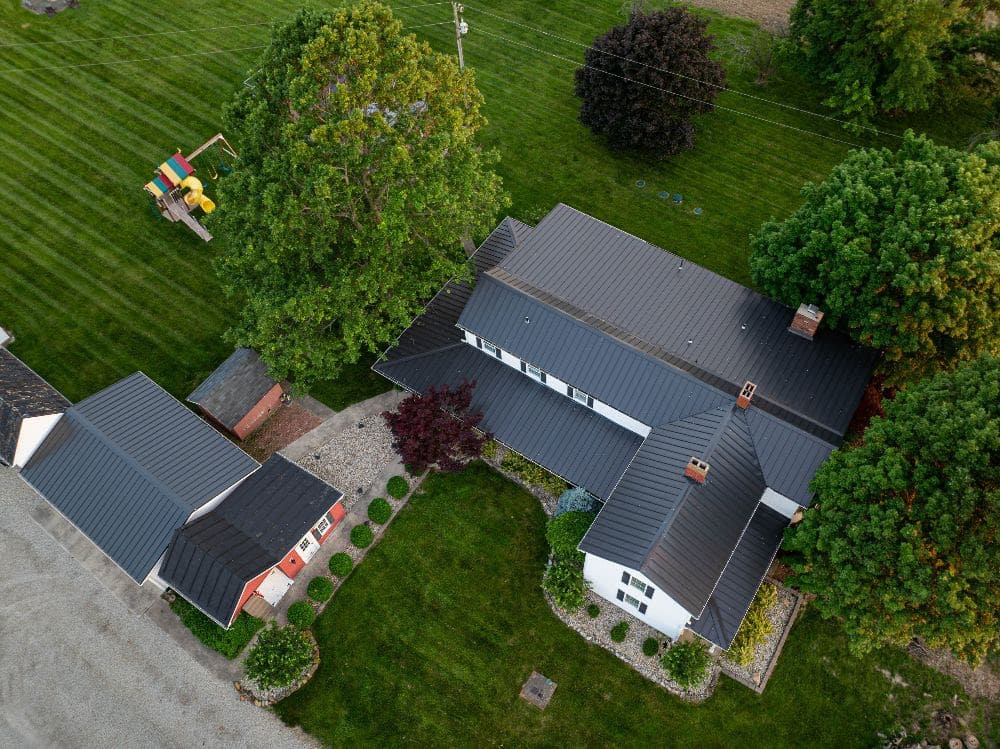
pixel 77 669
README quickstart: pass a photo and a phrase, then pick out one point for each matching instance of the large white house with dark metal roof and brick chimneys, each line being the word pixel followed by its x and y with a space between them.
pixel 695 408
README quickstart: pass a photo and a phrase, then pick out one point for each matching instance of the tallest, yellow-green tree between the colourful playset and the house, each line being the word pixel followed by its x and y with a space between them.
pixel 359 177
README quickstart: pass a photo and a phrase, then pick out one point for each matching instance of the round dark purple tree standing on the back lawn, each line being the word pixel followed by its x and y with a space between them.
pixel 642 82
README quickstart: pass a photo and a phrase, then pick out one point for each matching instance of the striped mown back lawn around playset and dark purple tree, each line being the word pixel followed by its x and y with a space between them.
pixel 96 287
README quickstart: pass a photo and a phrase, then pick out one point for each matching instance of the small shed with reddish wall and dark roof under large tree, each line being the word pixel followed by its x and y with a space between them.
pixel 239 395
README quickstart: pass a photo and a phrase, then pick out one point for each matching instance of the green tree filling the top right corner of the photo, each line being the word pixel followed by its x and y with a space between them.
pixel 882 55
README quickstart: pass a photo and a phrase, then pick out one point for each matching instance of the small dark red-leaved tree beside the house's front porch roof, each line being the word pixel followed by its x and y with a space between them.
pixel 437 428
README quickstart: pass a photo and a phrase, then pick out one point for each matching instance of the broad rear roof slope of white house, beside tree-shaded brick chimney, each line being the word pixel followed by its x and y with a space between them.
pixel 736 334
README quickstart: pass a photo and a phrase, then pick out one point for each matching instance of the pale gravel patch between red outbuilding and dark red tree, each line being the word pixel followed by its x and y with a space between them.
pixel 353 458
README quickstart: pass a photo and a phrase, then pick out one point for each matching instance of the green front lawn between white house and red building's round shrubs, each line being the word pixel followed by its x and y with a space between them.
pixel 429 641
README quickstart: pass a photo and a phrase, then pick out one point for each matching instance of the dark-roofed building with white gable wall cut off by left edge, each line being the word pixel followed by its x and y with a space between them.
pixel 29 409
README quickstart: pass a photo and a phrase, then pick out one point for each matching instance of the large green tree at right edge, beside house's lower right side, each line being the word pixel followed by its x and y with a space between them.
pixel 903 540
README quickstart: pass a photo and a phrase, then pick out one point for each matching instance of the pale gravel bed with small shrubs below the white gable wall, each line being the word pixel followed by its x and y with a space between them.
pixel 598 631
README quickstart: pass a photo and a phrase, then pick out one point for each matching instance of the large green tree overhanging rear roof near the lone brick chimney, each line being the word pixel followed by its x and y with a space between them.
pixel 901 248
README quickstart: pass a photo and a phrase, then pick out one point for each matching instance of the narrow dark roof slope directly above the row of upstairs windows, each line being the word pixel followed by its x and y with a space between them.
pixel 635 383
